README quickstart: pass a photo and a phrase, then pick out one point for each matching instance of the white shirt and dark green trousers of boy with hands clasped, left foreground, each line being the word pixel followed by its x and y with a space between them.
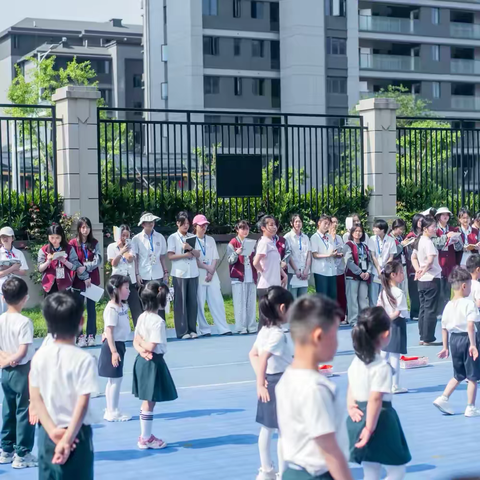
pixel 63 373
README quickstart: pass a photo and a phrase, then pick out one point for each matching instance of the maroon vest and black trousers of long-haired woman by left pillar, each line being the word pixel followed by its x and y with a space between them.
pixel 91 259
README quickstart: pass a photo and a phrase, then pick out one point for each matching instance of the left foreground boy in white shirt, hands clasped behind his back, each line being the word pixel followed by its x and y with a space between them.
pixel 61 380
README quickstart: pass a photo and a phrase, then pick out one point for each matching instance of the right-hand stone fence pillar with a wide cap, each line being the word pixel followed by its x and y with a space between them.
pixel 380 155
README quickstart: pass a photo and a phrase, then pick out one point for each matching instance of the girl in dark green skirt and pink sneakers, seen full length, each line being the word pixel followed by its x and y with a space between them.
pixel 152 381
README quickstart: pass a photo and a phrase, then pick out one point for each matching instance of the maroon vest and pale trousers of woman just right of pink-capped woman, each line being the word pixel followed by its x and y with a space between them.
pixel 243 276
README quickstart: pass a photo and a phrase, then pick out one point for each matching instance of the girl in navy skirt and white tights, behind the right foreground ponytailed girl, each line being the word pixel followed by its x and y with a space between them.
pixel 393 300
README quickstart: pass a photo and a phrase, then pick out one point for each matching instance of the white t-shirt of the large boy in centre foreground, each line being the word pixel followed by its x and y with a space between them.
pixel 308 407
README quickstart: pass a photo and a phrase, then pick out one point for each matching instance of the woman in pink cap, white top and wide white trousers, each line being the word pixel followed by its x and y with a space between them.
pixel 209 283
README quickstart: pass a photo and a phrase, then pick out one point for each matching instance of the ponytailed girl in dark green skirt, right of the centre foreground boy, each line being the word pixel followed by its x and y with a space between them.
pixel 376 437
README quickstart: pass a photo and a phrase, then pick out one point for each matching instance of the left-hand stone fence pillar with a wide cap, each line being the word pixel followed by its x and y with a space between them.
pixel 77 153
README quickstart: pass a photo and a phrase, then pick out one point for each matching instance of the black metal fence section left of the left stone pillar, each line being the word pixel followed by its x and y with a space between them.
pixel 28 152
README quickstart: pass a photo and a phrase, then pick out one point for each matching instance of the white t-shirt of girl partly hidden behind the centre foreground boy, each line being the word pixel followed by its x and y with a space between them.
pixel 273 340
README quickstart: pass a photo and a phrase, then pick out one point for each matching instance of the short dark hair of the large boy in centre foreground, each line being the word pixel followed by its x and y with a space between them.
pixel 310 312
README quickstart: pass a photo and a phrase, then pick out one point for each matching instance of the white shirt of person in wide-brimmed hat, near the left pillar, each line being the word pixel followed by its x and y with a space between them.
pixel 148 250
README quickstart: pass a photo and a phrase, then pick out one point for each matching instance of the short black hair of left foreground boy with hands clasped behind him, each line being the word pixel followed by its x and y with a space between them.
pixel 63 312
